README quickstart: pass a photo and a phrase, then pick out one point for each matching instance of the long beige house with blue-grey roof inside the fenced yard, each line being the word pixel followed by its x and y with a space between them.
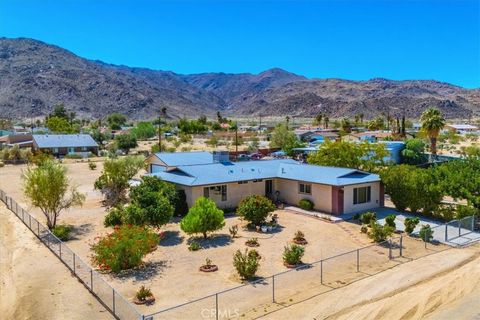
pixel 332 190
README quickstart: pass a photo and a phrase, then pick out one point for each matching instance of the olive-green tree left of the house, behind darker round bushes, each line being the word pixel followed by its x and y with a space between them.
pixel 113 182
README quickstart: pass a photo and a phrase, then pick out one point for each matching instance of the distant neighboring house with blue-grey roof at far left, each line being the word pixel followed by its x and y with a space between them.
pixel 62 144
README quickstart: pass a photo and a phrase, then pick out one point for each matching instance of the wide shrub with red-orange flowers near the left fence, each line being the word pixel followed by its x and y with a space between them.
pixel 124 248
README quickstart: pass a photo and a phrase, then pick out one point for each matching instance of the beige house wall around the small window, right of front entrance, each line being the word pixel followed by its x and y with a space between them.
pixel 289 192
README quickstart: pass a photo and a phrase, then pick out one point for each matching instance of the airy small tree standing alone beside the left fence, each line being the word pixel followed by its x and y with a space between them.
pixel 48 188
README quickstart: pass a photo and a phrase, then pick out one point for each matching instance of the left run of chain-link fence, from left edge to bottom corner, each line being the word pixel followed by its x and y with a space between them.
pixel 106 294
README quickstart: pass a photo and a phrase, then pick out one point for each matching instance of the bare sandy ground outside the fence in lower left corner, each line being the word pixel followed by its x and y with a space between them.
pixel 34 284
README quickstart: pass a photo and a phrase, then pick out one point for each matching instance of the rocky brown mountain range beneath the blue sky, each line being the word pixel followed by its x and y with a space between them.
pixel 35 76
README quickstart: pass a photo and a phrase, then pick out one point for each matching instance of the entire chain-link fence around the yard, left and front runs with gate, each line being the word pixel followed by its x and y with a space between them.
pixel 256 298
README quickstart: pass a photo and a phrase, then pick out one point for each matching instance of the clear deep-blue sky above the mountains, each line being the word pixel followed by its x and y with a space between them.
pixel 358 40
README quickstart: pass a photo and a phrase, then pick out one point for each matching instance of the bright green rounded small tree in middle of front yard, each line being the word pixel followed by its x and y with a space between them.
pixel 202 218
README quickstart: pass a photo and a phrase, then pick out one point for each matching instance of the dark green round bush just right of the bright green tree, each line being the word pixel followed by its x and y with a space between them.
pixel 255 209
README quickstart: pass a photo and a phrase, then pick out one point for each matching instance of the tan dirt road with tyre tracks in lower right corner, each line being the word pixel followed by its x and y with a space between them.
pixel 413 290
